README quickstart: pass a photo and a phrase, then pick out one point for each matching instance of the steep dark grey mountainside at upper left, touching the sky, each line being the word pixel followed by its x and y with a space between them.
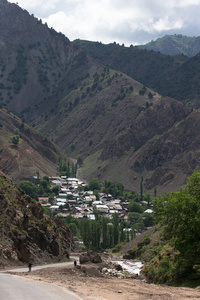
pixel 37 64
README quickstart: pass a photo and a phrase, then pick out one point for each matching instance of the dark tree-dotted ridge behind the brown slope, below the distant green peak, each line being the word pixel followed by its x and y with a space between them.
pixel 173 76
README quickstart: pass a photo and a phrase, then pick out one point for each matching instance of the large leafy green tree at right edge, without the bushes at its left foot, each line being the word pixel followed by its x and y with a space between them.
pixel 179 213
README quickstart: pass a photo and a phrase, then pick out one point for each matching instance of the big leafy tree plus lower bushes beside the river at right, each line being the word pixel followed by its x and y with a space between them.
pixel 178 217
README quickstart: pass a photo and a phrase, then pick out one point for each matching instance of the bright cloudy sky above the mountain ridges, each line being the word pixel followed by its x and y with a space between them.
pixel 121 21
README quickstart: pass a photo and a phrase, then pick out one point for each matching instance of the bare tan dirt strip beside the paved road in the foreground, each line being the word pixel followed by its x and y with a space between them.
pixel 101 288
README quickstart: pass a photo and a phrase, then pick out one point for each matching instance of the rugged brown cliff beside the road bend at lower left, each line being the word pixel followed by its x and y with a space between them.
pixel 25 232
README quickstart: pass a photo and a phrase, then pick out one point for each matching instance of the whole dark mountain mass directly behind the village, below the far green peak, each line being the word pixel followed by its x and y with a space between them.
pixel 108 106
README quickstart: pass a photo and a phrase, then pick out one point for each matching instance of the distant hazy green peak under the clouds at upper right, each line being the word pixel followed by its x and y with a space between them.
pixel 174 45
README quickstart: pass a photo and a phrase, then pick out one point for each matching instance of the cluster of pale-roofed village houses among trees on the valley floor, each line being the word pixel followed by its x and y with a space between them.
pixel 73 200
